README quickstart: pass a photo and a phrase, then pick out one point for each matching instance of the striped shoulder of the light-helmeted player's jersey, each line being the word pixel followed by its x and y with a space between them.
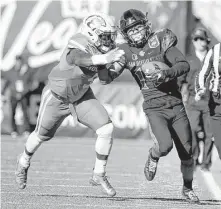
pixel 78 41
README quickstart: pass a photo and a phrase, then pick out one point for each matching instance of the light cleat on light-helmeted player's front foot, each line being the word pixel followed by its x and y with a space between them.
pixel 101 180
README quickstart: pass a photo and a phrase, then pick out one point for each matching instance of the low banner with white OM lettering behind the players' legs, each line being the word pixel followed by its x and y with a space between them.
pixel 123 103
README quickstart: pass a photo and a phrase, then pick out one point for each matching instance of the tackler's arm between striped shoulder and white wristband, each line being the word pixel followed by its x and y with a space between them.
pixel 79 57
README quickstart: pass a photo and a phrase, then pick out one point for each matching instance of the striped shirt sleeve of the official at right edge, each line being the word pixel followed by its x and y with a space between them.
pixel 205 71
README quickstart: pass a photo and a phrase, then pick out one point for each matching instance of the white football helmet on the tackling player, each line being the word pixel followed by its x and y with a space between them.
pixel 101 31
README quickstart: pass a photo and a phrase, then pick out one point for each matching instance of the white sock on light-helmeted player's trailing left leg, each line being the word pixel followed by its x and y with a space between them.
pixel 32 144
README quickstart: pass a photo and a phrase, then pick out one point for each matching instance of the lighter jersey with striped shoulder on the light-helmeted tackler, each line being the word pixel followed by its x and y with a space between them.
pixel 71 81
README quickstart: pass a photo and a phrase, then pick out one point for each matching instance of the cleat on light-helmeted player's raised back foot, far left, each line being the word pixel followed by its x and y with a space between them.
pixel 21 174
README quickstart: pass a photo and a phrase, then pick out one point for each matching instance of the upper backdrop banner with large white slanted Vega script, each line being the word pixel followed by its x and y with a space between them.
pixel 40 29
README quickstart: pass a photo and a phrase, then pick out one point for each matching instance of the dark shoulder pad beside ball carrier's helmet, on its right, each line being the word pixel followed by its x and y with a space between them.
pixel 167 38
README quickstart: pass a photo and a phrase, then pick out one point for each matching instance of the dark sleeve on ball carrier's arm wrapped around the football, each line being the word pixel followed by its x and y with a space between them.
pixel 179 64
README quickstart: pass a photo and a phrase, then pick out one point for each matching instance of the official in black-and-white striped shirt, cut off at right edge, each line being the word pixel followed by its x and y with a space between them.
pixel 212 66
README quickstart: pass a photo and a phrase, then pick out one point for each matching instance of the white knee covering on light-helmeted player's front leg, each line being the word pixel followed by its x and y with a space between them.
pixel 104 140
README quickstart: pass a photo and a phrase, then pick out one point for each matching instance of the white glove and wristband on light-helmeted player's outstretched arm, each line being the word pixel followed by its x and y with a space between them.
pixel 110 57
